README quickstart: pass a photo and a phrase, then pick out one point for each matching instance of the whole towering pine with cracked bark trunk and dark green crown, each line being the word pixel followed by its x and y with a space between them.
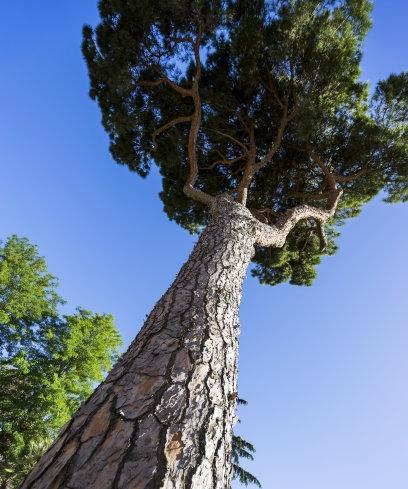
pixel 267 141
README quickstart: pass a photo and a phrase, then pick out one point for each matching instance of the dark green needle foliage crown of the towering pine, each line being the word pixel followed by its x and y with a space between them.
pixel 278 88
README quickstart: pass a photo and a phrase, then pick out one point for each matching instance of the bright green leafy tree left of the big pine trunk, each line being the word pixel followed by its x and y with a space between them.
pixel 49 364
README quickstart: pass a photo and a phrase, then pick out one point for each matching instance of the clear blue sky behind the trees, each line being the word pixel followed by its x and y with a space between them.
pixel 324 368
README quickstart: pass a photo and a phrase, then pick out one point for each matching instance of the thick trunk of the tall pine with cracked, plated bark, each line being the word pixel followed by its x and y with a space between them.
pixel 163 417
